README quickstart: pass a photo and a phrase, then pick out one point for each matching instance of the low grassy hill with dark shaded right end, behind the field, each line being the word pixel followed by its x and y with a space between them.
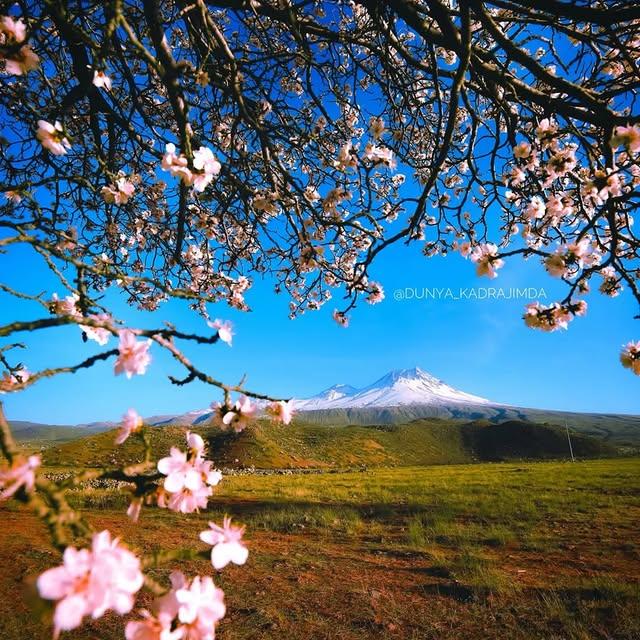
pixel 268 446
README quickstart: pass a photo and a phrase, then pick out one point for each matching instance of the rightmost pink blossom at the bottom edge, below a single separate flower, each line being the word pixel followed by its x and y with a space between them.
pixel 200 607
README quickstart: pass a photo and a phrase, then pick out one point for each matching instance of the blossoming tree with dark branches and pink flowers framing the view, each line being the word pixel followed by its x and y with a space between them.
pixel 176 149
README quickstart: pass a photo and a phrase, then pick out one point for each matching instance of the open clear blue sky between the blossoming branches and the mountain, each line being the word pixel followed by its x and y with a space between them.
pixel 481 347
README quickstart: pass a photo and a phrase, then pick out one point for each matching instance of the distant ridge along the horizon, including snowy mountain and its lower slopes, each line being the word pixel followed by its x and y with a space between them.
pixel 398 397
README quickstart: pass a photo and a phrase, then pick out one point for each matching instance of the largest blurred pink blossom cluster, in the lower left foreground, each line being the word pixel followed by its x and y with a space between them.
pixel 92 582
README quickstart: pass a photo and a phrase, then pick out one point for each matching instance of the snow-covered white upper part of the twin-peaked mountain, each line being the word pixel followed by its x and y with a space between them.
pixel 397 388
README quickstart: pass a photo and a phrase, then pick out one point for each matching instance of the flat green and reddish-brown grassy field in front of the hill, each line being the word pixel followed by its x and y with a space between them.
pixel 529 550
